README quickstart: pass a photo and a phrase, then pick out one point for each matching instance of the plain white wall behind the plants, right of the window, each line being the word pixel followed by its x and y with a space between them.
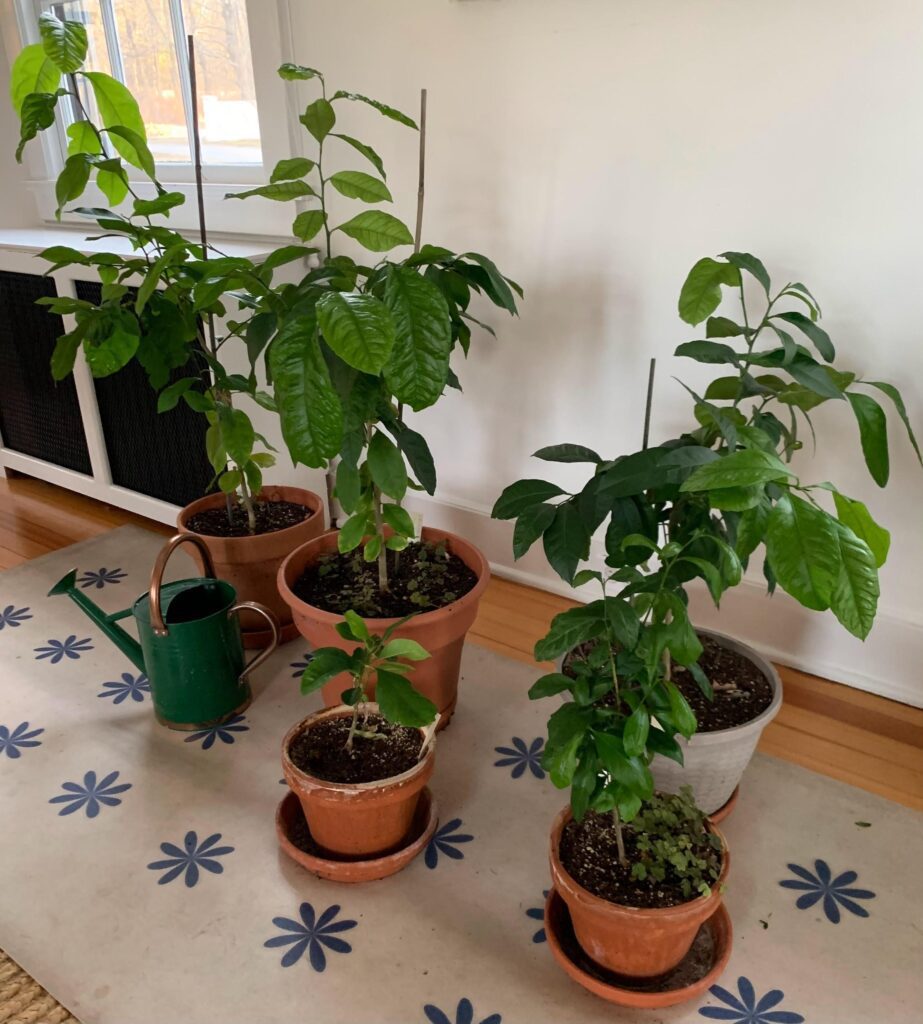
pixel 596 149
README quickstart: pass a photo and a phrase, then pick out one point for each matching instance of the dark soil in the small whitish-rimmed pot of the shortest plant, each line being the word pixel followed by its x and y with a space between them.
pixel 321 751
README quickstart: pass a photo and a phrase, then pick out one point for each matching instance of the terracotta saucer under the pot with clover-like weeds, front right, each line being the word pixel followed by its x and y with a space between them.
pixel 688 982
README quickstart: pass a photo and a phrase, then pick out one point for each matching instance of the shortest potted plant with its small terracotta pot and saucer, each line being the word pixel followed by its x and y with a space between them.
pixel 359 770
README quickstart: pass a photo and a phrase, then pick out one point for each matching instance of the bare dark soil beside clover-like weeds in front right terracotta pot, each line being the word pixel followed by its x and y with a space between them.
pixel 591 856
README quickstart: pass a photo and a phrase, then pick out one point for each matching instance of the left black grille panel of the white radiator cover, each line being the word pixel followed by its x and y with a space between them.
pixel 38 417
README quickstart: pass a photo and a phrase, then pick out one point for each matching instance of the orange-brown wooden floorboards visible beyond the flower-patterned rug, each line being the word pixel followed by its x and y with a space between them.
pixel 867 741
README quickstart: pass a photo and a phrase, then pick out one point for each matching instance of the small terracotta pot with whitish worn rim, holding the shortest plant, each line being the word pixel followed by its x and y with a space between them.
pixel 362 820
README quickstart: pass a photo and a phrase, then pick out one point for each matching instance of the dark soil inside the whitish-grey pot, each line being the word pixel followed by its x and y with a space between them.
pixel 742 692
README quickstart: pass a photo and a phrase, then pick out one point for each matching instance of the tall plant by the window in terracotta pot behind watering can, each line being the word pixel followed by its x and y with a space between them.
pixel 159 306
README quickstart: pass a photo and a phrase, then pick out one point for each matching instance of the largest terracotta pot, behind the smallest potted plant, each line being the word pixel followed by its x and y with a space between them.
pixel 441 632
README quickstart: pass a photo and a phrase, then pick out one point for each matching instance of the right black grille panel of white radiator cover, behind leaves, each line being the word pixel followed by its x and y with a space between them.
pixel 157 454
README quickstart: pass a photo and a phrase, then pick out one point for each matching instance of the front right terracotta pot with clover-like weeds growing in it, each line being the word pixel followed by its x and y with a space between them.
pixel 635 942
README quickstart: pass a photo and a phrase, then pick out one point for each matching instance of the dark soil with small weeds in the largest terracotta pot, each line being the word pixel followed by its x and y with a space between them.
pixel 427 577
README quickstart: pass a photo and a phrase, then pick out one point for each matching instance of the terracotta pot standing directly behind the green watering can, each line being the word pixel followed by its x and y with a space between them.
pixel 250 564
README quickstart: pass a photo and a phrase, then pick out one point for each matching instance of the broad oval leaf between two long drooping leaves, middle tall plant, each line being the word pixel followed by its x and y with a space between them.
pixel 359 328
